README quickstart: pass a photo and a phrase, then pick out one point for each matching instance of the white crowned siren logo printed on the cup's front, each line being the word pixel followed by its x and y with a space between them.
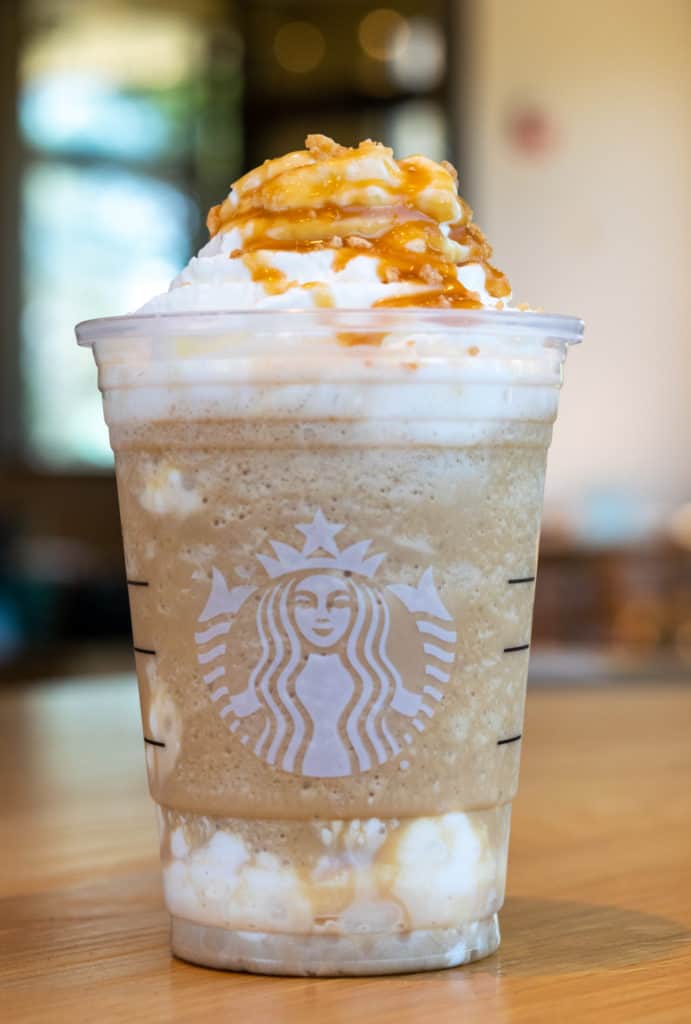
pixel 331 690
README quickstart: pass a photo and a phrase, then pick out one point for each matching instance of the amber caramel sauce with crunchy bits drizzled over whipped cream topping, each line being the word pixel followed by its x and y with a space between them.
pixel 361 202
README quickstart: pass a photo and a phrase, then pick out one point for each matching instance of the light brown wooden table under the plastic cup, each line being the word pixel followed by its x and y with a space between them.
pixel 597 926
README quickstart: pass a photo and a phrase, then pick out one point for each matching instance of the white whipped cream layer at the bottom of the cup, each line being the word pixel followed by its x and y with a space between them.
pixel 365 879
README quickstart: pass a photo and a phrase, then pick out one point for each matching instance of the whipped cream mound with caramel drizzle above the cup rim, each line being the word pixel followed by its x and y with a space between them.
pixel 332 227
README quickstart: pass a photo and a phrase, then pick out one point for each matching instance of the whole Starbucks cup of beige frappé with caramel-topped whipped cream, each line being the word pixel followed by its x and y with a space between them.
pixel 331 522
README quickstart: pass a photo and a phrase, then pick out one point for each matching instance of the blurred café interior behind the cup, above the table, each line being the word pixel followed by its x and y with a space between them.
pixel 570 123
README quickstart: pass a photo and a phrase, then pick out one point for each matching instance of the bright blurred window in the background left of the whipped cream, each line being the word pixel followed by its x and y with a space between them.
pixel 118 113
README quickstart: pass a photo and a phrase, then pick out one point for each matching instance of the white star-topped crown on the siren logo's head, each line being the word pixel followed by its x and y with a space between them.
pixel 320 536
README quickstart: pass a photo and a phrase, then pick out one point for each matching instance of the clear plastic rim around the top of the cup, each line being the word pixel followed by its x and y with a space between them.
pixel 569 330
